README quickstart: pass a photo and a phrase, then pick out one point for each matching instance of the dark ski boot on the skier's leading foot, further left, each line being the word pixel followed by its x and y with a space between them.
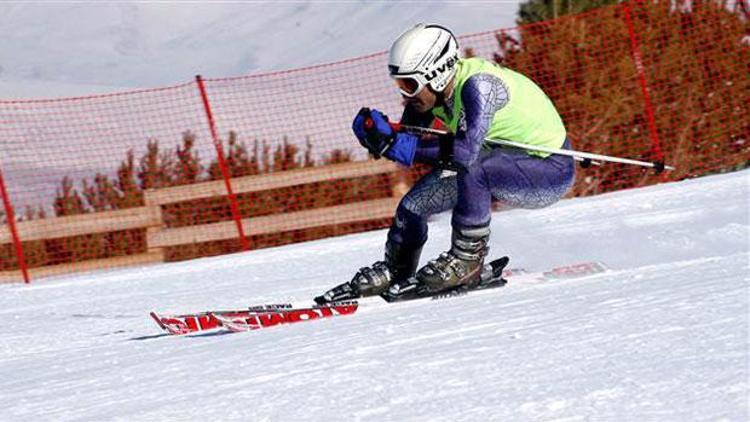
pixel 400 263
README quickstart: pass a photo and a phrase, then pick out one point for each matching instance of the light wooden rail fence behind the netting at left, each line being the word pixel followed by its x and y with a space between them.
pixel 159 237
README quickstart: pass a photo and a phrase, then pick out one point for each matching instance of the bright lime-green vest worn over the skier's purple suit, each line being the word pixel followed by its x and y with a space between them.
pixel 529 117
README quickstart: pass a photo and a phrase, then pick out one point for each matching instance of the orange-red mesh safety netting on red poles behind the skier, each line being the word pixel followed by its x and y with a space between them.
pixel 220 165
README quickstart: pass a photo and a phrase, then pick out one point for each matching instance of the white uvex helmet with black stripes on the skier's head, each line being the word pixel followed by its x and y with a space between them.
pixel 423 55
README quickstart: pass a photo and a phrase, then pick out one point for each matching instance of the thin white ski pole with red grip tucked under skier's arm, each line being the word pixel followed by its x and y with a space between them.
pixel 586 157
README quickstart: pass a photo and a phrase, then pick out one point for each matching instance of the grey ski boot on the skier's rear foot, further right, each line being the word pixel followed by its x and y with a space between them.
pixel 461 265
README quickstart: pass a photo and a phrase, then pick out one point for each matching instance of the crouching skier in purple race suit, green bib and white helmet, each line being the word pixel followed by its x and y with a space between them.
pixel 476 99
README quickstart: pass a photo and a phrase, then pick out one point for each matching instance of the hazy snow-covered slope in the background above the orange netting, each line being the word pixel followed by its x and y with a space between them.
pixel 49 47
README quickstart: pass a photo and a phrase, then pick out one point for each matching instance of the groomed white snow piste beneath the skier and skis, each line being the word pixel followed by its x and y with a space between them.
pixel 663 336
